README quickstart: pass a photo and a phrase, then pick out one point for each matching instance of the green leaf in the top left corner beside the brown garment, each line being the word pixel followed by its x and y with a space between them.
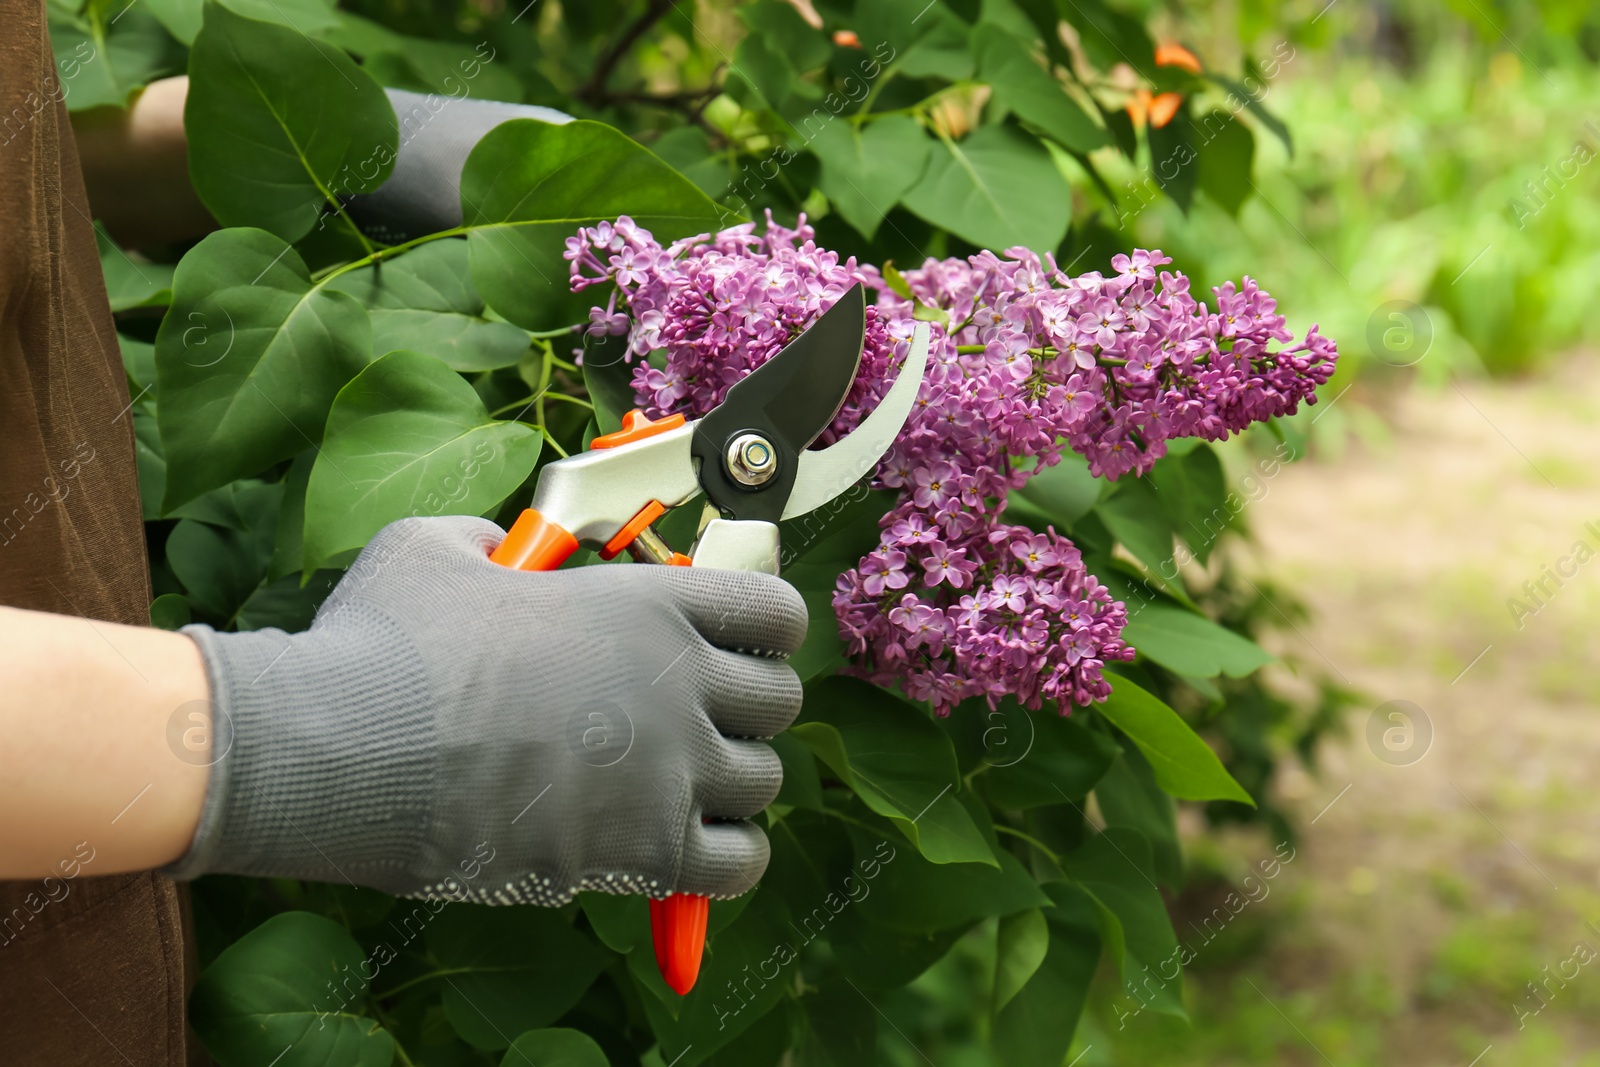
pixel 108 54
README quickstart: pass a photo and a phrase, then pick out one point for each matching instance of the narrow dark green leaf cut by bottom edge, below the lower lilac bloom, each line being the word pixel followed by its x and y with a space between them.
pixel 1036 1028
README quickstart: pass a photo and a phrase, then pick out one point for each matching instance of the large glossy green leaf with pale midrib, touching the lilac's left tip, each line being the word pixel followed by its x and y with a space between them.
pixel 529 186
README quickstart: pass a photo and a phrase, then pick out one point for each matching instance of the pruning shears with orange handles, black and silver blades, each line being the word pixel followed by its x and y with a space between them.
pixel 751 458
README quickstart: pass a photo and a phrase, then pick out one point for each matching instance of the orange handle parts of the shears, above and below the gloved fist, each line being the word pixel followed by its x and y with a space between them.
pixel 678 925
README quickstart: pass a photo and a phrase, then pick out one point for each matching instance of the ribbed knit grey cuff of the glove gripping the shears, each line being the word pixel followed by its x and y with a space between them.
pixel 324 753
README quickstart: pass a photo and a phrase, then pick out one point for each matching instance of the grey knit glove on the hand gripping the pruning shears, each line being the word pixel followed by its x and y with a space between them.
pixel 450 727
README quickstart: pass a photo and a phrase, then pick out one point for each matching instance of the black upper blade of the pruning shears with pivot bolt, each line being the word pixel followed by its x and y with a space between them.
pixel 788 401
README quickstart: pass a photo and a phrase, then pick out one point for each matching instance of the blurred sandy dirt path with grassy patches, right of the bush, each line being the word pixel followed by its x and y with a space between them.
pixel 1430 893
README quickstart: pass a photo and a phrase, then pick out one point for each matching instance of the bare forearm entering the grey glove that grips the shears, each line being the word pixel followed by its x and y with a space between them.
pixel 106 740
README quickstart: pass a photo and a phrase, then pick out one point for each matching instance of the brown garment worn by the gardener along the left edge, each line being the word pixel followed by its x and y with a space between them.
pixel 92 972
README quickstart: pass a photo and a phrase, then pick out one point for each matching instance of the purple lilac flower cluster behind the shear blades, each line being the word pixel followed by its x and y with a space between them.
pixel 954 602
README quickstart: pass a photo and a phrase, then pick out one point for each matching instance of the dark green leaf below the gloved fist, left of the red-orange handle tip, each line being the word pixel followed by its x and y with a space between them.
pixel 516 969
